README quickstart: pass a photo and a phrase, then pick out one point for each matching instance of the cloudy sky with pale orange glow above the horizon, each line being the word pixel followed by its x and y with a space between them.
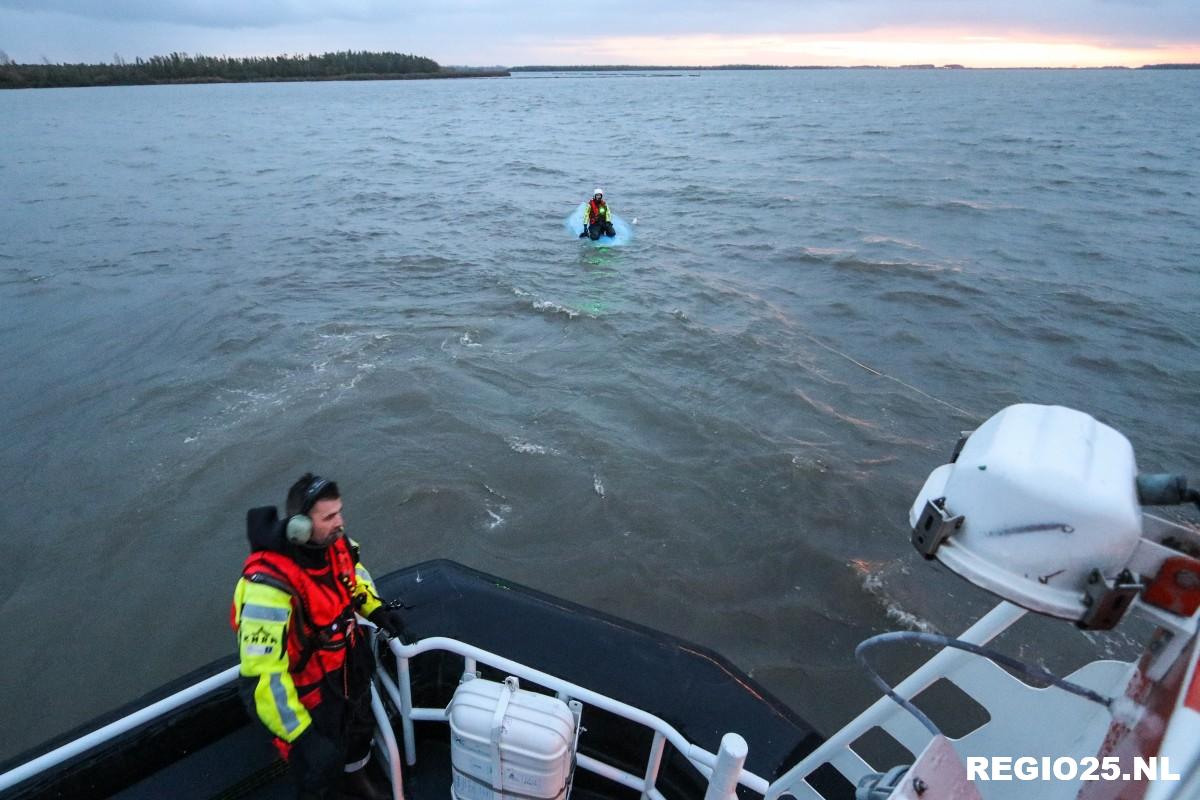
pixel 511 33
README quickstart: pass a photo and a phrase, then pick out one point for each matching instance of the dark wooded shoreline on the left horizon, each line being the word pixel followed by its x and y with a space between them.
pixel 182 68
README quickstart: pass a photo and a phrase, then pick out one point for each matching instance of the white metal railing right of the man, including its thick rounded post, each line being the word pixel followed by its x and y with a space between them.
pixel 723 771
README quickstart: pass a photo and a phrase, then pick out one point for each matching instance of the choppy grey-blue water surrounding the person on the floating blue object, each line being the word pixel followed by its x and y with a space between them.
pixel 716 429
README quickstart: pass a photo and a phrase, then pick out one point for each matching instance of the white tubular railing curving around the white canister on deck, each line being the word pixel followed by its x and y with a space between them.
pixel 703 760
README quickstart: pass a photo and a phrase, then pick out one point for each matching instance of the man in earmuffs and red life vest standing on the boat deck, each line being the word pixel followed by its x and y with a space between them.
pixel 305 659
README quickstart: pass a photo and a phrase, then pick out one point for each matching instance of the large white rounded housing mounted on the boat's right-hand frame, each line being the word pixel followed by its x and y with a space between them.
pixel 1048 495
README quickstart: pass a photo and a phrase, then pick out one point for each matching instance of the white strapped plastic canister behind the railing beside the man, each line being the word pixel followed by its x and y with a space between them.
pixel 509 744
